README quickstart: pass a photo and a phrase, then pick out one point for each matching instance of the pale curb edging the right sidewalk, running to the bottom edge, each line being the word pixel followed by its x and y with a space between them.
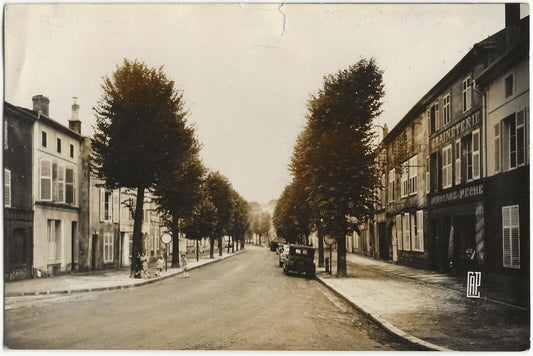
pixel 385 325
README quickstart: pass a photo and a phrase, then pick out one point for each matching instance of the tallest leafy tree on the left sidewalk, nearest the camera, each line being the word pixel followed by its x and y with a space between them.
pixel 139 118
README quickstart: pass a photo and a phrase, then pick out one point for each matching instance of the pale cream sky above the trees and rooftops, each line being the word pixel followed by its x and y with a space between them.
pixel 246 70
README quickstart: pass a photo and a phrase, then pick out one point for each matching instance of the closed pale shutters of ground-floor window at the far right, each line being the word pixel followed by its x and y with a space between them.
pixel 511 236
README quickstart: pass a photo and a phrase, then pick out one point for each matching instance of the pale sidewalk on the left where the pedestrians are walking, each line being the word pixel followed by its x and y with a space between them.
pixel 99 280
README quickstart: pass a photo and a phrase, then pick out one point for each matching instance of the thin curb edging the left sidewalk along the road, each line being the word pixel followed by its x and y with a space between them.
pixel 116 287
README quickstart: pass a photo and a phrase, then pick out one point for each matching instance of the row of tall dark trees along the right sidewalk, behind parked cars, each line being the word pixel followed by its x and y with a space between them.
pixel 333 161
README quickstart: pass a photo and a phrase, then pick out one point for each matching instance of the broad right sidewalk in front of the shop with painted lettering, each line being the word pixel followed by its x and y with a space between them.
pixel 430 310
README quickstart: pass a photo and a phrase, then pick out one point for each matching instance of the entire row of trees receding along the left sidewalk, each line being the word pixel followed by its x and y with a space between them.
pixel 143 141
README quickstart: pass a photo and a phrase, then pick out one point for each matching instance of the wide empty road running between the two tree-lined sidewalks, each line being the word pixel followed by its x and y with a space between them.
pixel 242 303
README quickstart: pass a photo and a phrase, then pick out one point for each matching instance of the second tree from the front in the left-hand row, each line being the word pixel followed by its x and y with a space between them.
pixel 177 191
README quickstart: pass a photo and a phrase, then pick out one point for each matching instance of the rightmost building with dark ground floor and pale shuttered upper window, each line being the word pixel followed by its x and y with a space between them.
pixel 505 84
